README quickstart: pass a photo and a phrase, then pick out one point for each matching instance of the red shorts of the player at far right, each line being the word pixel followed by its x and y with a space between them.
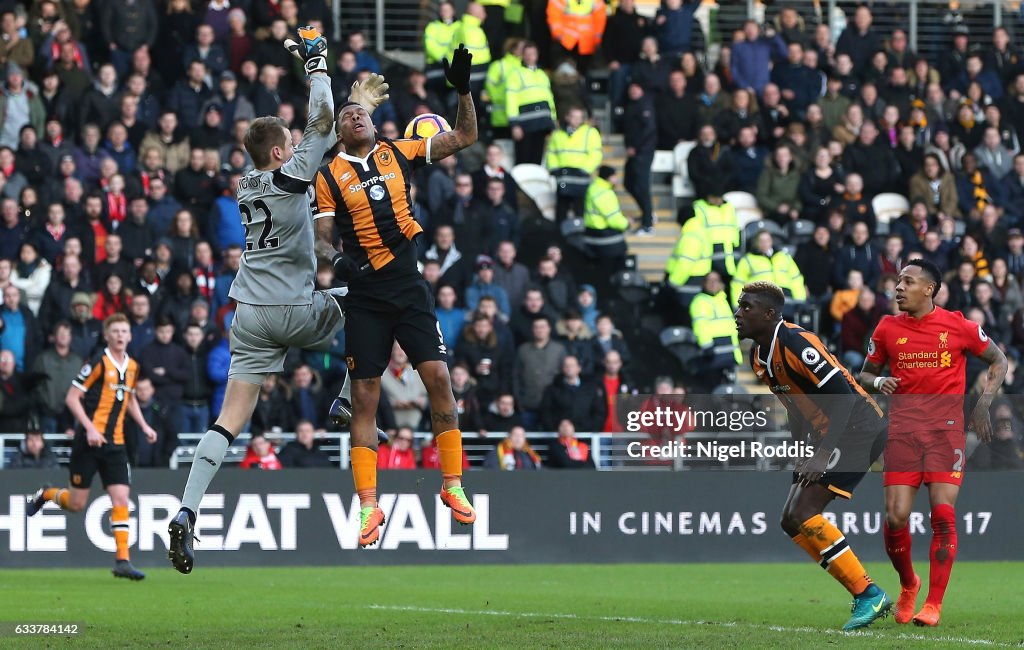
pixel 925 457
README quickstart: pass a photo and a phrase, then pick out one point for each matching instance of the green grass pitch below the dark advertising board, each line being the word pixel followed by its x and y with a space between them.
pixel 537 606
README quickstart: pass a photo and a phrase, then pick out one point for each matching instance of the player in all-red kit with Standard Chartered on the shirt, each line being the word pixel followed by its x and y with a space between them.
pixel 925 348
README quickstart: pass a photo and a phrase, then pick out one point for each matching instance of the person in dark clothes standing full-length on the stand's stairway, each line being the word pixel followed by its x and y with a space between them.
pixel 641 138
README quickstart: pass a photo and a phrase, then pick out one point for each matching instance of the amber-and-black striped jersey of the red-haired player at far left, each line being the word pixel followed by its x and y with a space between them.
pixel 108 387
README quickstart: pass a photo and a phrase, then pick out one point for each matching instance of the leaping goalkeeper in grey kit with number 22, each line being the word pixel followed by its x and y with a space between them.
pixel 277 306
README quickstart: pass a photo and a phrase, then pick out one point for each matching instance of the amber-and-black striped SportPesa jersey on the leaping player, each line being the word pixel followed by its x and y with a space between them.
pixel 369 200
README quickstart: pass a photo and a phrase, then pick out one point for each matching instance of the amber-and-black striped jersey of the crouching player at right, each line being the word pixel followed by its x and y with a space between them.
pixel 801 372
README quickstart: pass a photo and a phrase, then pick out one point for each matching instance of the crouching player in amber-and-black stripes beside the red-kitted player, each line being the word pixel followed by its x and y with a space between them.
pixel 829 410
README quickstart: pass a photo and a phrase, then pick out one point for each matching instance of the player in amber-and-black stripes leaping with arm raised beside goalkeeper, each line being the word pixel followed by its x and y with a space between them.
pixel 365 193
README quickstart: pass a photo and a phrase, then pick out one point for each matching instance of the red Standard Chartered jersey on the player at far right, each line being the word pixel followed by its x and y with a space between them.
pixel 928 357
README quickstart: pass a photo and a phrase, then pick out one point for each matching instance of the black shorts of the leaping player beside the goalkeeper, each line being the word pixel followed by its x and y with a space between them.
pixel 404 314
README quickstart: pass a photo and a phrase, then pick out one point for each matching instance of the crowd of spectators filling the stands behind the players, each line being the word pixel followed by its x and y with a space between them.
pixel 121 124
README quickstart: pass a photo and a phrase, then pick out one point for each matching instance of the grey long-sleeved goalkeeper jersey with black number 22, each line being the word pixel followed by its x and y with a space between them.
pixel 279 266
